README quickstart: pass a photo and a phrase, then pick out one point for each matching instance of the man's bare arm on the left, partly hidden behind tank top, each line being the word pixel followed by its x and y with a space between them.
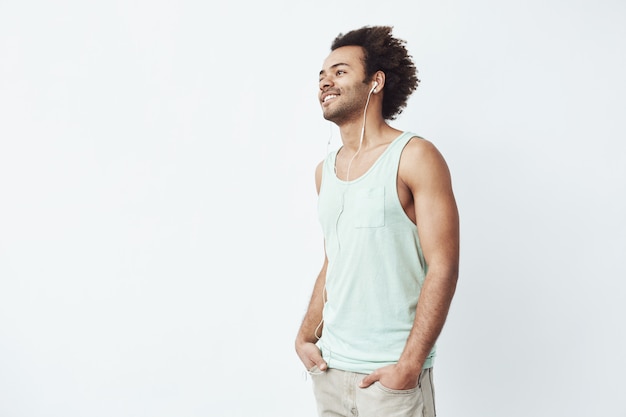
pixel 311 327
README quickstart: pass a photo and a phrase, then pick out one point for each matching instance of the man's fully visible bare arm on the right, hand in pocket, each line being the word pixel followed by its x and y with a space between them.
pixel 424 171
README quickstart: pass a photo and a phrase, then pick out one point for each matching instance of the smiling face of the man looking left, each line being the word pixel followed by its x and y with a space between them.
pixel 342 92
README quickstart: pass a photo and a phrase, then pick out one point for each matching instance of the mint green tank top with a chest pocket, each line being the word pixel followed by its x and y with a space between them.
pixel 375 266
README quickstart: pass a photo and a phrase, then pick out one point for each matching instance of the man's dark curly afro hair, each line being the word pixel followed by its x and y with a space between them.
pixel 383 52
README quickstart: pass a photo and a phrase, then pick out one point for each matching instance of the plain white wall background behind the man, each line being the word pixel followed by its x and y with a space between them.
pixel 158 232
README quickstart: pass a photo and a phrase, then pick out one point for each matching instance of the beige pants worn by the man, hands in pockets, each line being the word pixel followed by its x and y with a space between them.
pixel 338 395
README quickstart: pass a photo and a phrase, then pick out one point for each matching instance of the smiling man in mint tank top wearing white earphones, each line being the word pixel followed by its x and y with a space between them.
pixel 391 238
